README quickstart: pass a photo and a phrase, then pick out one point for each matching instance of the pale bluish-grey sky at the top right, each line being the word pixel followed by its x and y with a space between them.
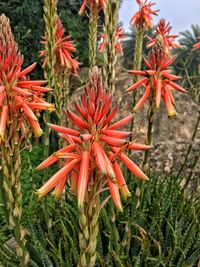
pixel 180 13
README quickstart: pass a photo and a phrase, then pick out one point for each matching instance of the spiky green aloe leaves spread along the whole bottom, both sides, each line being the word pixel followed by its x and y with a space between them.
pixel 159 226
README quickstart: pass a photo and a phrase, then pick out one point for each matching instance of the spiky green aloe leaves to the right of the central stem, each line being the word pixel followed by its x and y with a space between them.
pixel 158 228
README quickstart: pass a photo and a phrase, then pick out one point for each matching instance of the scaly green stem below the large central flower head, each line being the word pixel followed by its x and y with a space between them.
pixel 89 228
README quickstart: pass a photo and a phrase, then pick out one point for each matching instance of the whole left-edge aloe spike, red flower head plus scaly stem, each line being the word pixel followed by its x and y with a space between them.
pixel 21 99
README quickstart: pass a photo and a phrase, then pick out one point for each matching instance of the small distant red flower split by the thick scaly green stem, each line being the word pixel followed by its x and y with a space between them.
pixel 119 35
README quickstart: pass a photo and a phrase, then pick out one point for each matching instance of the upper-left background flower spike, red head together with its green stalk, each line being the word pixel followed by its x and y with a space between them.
pixel 64 65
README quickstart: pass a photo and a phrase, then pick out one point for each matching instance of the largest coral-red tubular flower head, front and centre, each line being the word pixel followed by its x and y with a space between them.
pixel 93 152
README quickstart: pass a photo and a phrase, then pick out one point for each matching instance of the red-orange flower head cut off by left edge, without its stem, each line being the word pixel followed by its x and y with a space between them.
pixel 20 97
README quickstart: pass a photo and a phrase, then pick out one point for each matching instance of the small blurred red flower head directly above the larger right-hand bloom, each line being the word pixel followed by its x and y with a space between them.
pixel 163 33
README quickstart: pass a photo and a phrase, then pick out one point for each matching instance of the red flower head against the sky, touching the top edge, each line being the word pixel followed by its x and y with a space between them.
pixel 143 18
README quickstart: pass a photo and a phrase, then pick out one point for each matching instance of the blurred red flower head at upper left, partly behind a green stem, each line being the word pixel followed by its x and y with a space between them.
pixel 64 49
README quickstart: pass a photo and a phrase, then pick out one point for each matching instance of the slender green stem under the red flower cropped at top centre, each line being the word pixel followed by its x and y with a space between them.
pixel 93 25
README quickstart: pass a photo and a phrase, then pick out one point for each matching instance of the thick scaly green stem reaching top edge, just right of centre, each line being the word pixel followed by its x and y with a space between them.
pixel 110 57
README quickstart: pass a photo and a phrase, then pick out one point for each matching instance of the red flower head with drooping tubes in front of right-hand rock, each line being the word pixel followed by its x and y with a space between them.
pixel 157 80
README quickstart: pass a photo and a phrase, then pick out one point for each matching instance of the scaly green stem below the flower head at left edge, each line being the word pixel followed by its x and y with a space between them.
pixel 11 163
